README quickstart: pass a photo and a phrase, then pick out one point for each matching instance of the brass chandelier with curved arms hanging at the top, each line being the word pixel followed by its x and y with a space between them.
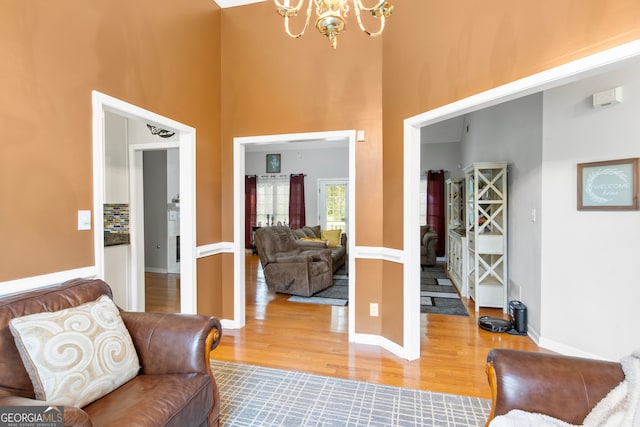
pixel 331 16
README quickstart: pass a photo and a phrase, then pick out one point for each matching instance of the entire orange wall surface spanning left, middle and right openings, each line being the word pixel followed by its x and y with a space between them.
pixel 234 73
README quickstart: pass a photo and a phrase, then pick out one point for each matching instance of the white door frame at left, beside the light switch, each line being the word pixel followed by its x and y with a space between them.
pixel 186 145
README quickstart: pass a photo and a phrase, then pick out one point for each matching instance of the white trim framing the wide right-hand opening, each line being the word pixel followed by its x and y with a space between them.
pixel 554 77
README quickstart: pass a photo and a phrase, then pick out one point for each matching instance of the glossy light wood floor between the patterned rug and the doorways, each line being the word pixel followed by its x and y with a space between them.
pixel 314 339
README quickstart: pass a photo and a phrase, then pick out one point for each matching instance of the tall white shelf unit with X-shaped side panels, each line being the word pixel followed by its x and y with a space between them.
pixel 486 224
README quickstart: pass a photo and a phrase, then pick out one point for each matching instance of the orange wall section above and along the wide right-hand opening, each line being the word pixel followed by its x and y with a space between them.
pixel 439 52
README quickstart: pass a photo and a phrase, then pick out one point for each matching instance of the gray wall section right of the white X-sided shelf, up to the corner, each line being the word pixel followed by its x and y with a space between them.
pixel 512 132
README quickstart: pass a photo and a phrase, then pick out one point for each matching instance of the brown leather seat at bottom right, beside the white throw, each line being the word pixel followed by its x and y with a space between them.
pixel 563 387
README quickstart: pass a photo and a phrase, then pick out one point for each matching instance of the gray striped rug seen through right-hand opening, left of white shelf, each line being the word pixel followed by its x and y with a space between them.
pixel 437 294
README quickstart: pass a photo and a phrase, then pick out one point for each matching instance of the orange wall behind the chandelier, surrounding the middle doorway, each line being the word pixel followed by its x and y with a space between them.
pixel 272 84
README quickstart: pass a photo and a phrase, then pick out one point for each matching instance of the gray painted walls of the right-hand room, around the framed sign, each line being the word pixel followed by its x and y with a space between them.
pixel 577 271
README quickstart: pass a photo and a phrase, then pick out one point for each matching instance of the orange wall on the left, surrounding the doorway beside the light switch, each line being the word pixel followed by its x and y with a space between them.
pixel 159 55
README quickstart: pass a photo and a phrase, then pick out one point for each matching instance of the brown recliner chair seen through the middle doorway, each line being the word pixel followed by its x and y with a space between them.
pixel 288 268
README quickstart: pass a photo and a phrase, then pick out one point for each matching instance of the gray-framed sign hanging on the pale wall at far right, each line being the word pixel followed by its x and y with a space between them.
pixel 608 185
